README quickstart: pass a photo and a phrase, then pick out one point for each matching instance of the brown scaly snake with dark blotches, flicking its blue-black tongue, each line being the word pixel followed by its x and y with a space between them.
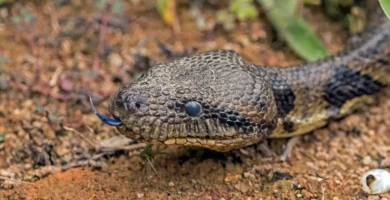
pixel 216 100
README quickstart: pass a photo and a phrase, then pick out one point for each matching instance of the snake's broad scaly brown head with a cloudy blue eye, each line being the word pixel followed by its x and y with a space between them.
pixel 212 100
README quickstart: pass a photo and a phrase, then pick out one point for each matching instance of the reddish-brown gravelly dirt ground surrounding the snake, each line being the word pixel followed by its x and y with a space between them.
pixel 53 147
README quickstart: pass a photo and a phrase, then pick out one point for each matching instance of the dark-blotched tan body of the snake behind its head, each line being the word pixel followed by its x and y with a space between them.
pixel 308 95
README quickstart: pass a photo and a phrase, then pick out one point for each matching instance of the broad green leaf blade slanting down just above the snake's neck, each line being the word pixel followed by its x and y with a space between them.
pixel 293 29
